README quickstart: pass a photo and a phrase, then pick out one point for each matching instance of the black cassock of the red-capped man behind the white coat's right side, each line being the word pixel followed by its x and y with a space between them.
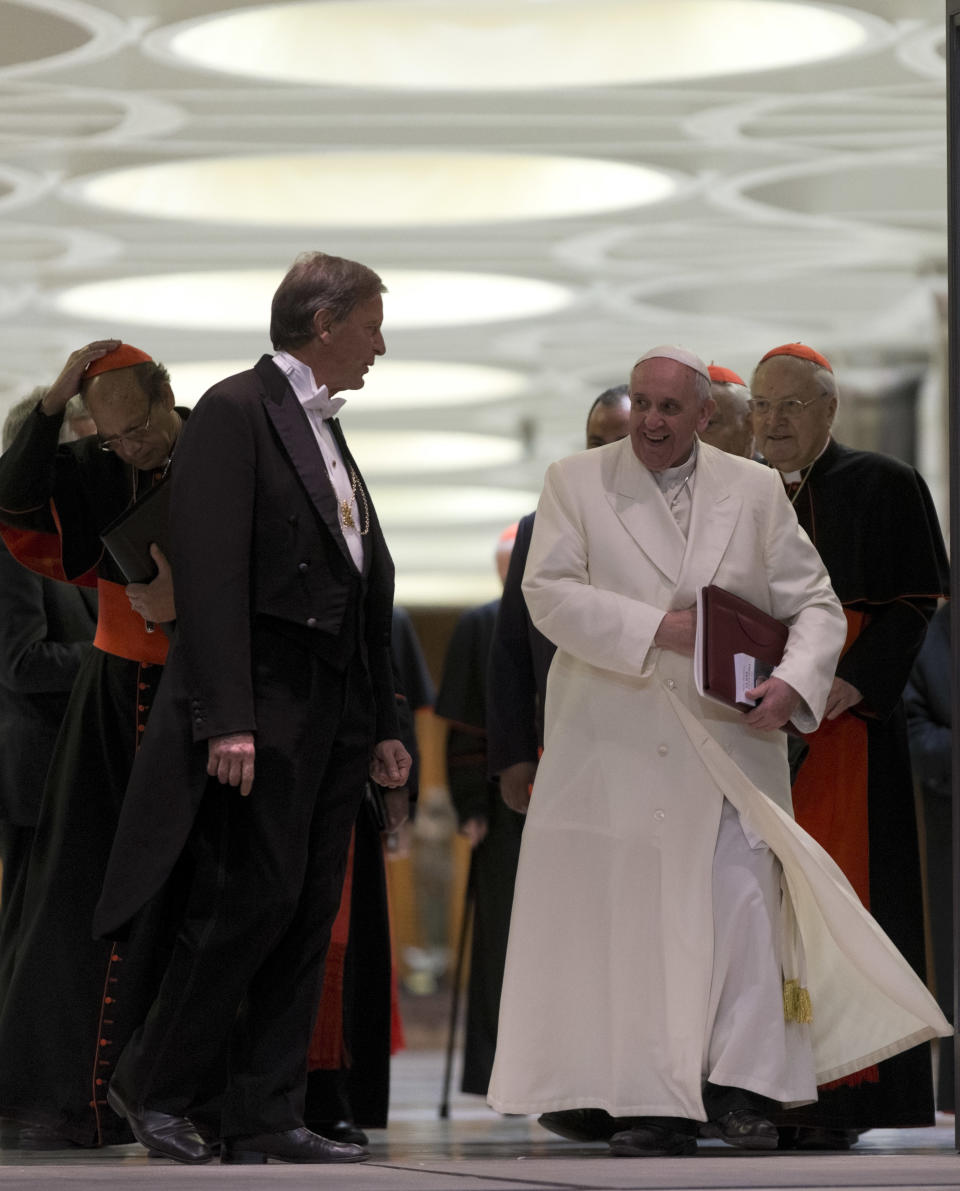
pixel 875 526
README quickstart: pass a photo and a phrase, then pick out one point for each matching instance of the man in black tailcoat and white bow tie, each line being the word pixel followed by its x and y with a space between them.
pixel 277 706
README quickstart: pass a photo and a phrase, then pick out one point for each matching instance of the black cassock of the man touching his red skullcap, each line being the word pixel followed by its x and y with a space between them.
pixel 68 1003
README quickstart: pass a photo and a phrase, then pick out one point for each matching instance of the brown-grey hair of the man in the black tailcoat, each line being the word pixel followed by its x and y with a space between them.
pixel 317 282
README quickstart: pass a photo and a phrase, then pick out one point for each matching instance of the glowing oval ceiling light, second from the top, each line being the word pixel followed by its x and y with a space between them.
pixel 375 190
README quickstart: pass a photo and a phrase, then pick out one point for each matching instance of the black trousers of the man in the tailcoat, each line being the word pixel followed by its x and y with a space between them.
pixel 244 981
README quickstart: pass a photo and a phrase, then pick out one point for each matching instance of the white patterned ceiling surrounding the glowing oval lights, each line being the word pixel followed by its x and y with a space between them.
pixel 811 205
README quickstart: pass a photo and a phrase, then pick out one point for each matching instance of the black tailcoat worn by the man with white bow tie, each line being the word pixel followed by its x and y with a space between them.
pixel 255 537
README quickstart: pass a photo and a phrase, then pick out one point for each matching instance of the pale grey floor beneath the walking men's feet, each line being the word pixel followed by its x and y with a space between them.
pixel 478 1151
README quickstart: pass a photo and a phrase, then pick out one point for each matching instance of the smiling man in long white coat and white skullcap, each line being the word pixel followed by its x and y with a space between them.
pixel 681 952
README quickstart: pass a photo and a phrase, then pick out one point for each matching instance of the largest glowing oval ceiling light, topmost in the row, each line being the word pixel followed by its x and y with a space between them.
pixel 514 45
